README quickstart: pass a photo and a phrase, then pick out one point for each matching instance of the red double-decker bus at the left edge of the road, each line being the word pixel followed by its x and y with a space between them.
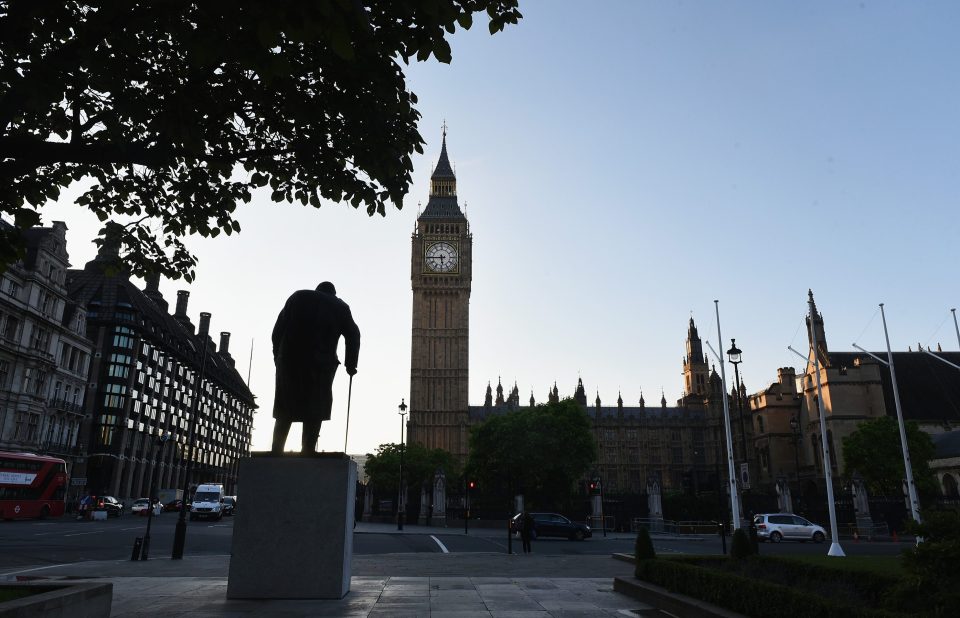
pixel 31 486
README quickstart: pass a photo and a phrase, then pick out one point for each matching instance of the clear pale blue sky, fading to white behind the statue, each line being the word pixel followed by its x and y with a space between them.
pixel 623 164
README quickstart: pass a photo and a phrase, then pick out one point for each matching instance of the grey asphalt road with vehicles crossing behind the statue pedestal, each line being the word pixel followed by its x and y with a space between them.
pixel 65 540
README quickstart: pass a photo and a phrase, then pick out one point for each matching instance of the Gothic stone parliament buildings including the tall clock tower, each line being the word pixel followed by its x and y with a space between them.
pixel 775 432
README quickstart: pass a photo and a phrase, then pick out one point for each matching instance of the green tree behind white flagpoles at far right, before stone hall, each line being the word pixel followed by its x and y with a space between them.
pixel 874 452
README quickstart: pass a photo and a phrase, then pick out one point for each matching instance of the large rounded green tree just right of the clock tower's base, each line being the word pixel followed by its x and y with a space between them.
pixel 540 452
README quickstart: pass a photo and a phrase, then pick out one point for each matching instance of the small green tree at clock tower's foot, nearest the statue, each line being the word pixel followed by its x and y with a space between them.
pixel 420 464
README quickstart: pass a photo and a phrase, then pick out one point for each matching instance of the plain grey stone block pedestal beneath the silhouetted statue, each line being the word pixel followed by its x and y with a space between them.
pixel 293 530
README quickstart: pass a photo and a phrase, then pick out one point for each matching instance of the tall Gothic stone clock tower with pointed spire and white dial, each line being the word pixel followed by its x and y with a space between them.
pixel 441 271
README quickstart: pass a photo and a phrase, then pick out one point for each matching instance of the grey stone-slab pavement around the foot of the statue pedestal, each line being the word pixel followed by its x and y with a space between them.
pixel 438 585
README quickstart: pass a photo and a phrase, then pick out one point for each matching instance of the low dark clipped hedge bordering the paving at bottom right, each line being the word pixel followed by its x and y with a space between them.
pixel 750 596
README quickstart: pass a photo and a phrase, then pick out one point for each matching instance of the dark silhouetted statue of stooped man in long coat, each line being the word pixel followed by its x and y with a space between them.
pixel 305 340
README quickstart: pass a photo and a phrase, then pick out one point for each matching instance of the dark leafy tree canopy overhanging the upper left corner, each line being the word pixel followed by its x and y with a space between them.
pixel 177 111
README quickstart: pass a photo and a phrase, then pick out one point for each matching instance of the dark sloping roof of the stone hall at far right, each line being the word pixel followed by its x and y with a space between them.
pixel 929 388
